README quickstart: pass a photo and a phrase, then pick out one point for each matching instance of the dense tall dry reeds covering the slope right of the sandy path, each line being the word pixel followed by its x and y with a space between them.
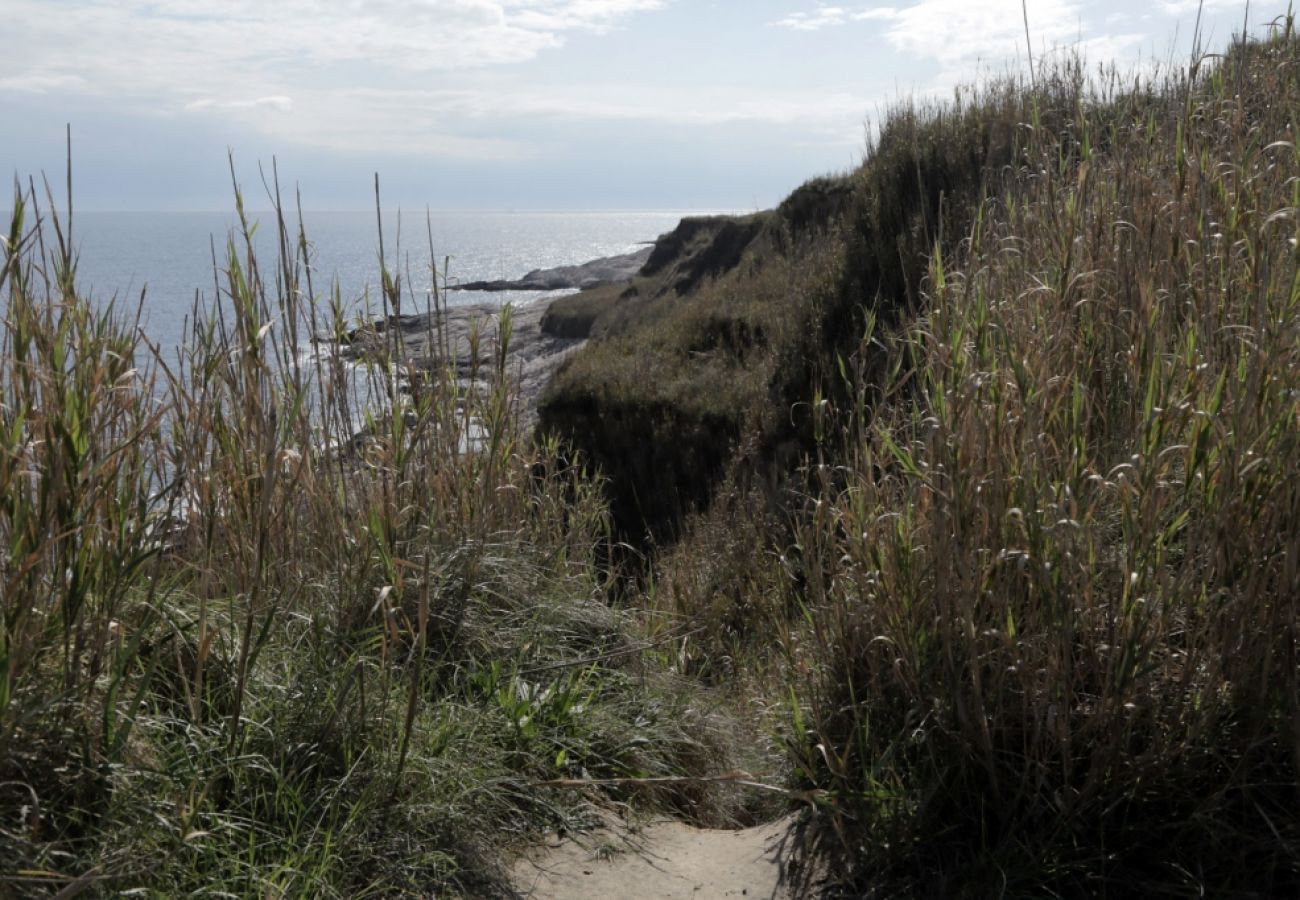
pixel 1048 566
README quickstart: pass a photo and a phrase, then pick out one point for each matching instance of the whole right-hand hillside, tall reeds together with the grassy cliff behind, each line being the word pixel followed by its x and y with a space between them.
pixel 1034 582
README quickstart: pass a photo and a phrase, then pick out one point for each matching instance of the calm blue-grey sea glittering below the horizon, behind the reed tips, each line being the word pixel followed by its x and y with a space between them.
pixel 168 257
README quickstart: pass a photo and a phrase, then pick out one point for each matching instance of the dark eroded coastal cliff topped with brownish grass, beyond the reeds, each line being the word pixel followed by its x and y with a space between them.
pixel 703 365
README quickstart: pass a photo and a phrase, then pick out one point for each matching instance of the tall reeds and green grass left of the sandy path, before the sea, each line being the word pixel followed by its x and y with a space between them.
pixel 284 628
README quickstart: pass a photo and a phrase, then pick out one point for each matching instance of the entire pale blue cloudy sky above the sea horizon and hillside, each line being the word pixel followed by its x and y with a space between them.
pixel 514 105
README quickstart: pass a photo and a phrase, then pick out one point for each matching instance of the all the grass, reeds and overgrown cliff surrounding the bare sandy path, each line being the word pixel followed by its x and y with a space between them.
pixel 960 495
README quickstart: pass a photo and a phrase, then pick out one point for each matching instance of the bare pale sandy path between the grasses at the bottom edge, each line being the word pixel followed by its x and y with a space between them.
pixel 661 862
